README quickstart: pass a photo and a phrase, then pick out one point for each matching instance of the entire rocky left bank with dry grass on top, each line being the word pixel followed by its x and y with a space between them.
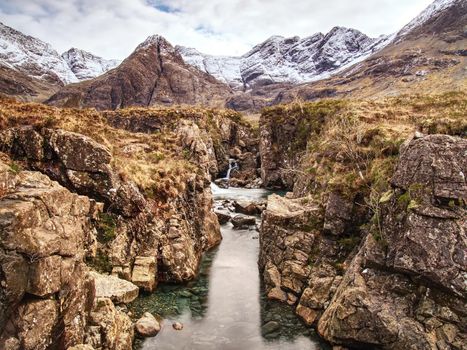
pixel 125 193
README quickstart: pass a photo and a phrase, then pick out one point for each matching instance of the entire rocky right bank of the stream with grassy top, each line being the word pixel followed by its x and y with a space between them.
pixel 373 254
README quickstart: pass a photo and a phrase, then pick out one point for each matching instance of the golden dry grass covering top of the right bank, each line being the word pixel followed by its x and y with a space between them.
pixel 352 146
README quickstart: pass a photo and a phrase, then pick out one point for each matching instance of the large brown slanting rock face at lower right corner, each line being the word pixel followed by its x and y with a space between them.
pixel 406 286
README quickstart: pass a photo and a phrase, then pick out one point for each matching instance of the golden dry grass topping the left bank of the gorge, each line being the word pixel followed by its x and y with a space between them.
pixel 155 162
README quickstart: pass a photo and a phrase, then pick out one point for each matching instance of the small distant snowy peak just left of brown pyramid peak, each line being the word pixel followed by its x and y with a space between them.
pixel 85 65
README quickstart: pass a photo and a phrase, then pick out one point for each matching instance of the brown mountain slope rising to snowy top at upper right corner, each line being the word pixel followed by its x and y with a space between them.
pixel 428 55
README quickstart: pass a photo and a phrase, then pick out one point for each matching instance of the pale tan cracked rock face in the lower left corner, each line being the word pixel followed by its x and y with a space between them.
pixel 47 232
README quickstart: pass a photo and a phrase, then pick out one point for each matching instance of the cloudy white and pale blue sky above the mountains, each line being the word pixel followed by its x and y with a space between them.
pixel 113 28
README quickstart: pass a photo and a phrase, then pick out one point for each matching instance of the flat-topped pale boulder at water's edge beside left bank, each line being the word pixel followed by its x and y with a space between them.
pixel 114 288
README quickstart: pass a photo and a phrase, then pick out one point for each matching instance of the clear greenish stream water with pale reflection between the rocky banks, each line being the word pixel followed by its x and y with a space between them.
pixel 225 307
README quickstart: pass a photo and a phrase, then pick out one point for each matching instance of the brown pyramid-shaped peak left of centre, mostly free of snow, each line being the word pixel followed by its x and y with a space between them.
pixel 153 74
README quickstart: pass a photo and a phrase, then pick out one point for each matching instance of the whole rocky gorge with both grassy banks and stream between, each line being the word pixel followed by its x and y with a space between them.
pixel 367 248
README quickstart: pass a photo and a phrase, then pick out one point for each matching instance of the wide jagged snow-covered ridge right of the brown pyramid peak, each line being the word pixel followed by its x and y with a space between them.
pixel 292 60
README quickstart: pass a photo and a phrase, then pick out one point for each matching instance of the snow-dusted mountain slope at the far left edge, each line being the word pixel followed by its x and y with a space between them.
pixel 33 57
